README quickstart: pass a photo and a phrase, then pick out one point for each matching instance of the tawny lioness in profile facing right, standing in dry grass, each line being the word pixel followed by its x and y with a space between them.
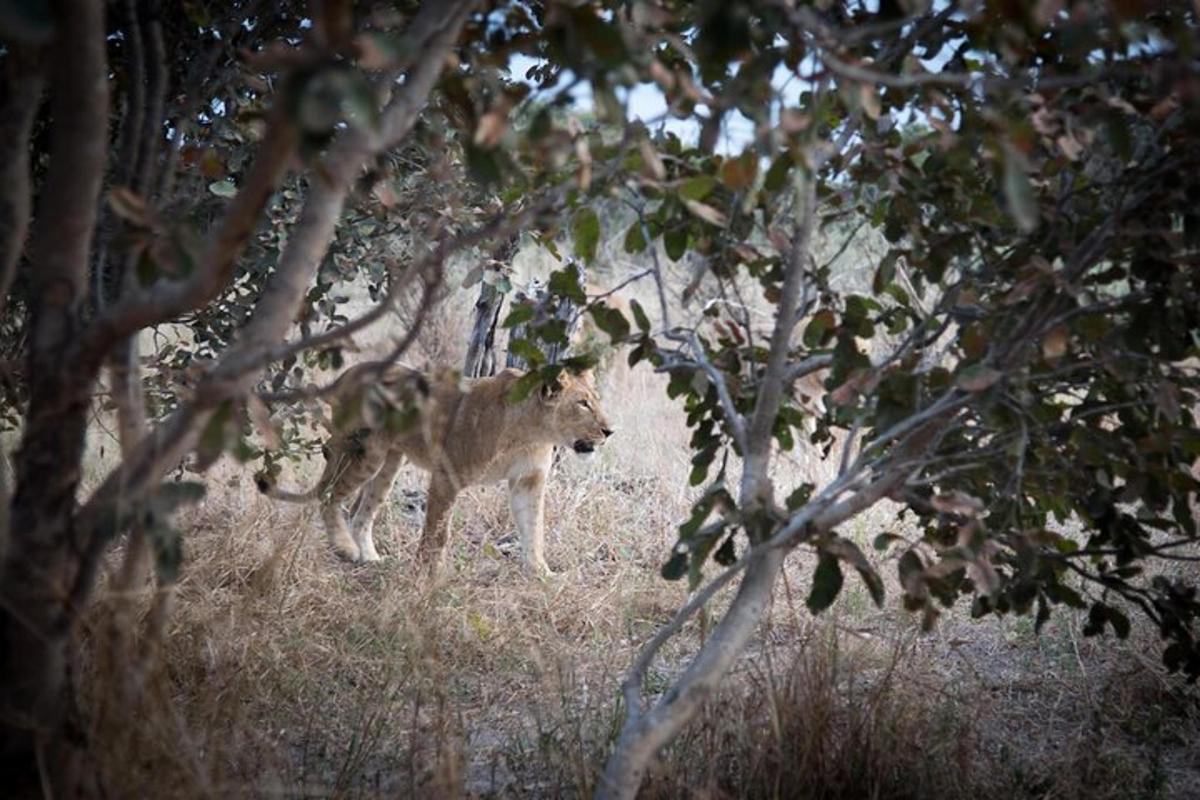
pixel 466 435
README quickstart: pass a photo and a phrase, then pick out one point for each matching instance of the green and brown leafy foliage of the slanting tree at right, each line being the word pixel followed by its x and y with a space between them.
pixel 1033 169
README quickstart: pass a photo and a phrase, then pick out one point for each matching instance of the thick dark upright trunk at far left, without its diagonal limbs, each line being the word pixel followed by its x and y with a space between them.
pixel 38 750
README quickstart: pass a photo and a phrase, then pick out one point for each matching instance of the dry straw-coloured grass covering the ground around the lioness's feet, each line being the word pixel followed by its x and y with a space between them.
pixel 286 673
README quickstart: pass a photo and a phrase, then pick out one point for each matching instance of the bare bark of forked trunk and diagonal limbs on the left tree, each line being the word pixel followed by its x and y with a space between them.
pixel 56 546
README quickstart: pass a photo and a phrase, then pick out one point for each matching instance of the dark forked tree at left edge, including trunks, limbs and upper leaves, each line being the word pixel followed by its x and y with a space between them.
pixel 57 539
